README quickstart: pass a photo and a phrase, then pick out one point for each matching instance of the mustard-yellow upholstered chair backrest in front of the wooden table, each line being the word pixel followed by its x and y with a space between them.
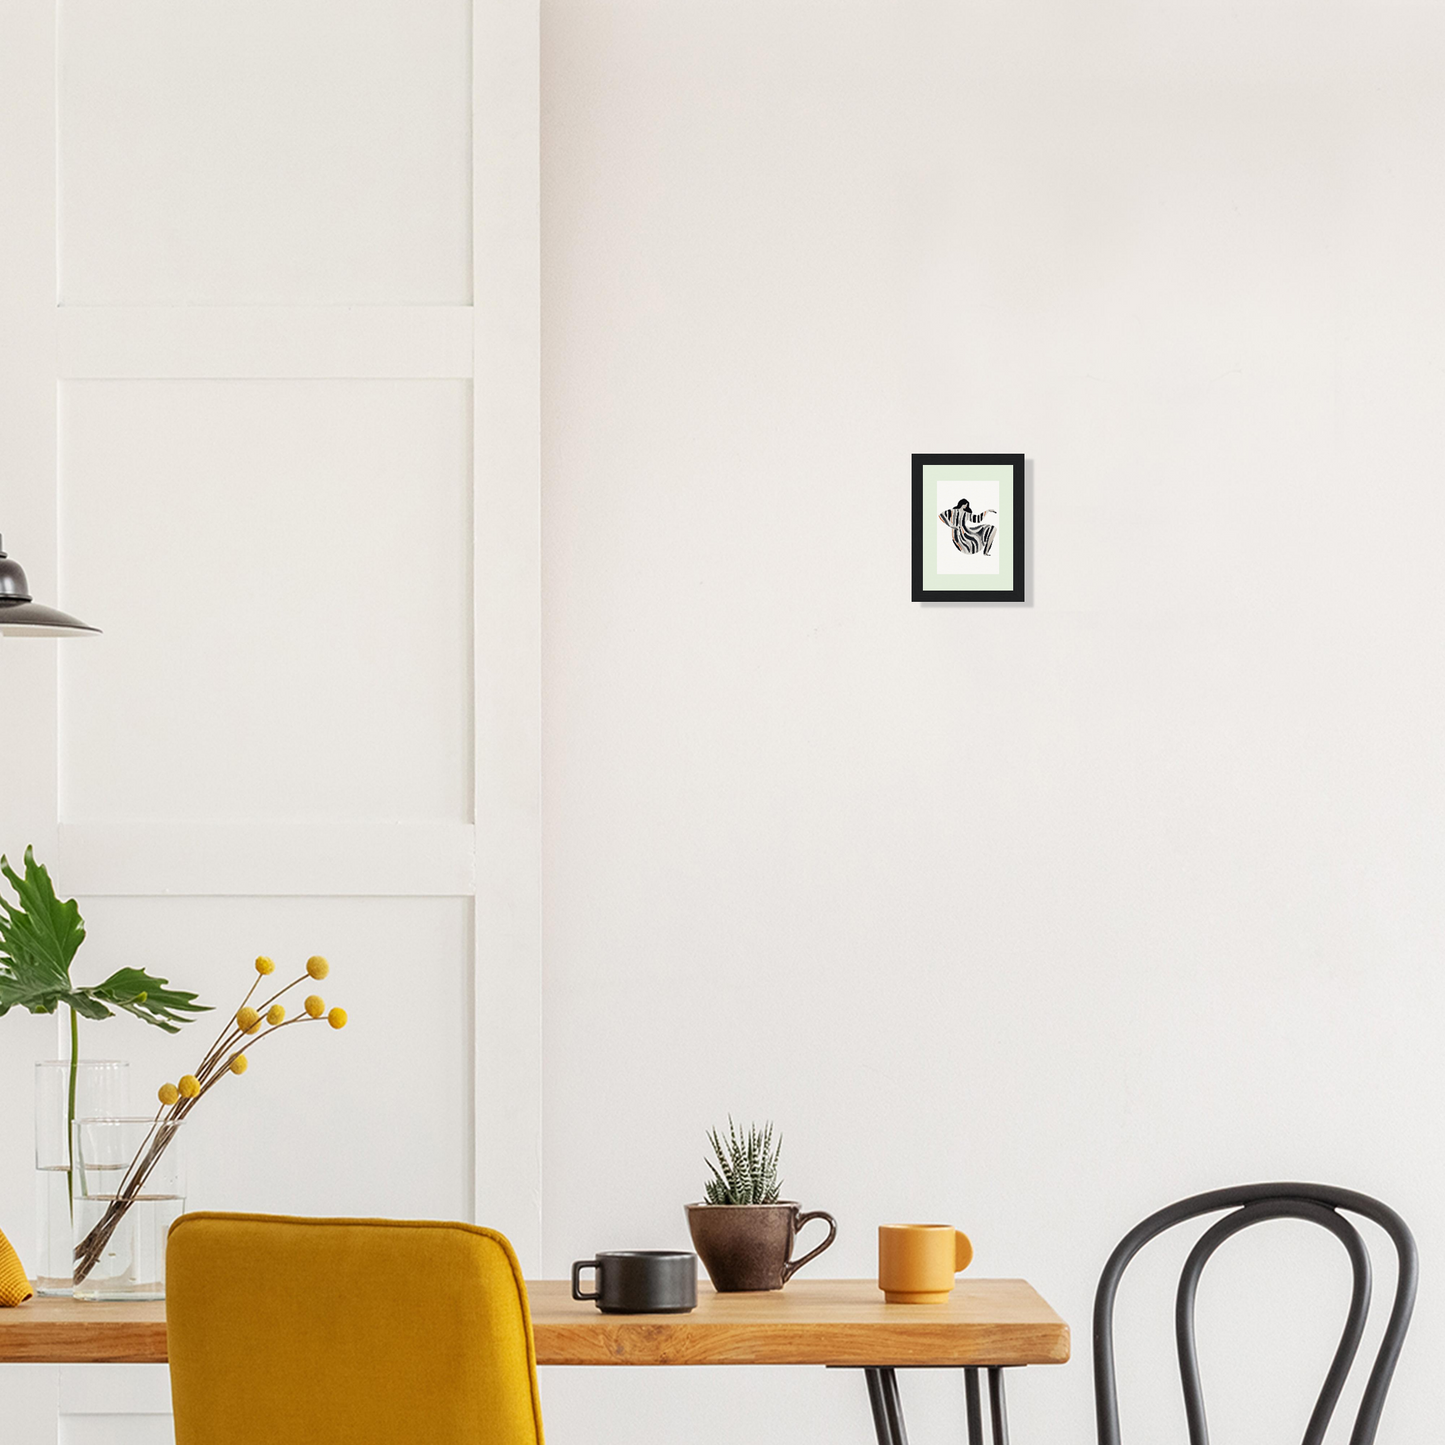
pixel 361 1332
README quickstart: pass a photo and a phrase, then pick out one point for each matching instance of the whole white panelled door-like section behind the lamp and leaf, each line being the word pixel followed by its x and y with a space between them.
pixel 269 418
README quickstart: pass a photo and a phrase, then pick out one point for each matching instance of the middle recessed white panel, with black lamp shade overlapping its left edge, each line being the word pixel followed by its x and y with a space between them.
pixel 282 571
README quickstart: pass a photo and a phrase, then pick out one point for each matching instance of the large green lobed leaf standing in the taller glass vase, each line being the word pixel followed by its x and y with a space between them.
pixel 40 936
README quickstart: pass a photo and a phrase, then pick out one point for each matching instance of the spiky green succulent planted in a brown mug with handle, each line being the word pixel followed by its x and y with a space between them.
pixel 743 1230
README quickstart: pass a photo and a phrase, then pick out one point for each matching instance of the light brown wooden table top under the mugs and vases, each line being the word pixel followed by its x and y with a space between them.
pixel 816 1321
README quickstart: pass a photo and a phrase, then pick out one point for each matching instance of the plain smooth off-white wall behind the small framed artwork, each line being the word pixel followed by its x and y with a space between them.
pixel 1032 918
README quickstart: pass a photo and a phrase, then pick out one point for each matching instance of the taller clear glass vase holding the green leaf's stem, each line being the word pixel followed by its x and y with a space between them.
pixel 102 1087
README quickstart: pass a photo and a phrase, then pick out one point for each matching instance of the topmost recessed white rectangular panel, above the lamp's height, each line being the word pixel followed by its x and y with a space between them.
pixel 265 151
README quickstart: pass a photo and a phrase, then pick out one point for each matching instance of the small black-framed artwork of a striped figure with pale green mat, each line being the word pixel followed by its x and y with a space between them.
pixel 969 527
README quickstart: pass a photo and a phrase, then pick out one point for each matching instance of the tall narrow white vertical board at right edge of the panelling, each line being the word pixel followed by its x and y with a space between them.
pixel 509 624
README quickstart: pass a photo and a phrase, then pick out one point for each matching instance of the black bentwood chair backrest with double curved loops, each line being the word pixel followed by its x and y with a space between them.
pixel 1317 1204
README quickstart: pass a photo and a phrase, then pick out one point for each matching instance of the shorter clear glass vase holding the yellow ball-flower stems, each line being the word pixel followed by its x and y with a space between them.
pixel 129 1191
